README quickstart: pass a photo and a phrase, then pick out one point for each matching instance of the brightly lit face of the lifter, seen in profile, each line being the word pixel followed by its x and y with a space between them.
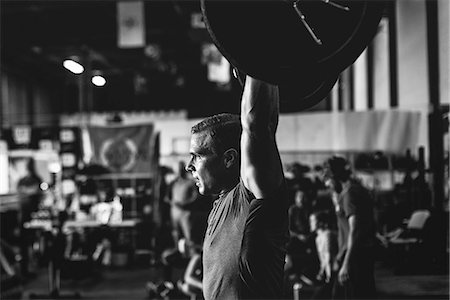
pixel 206 167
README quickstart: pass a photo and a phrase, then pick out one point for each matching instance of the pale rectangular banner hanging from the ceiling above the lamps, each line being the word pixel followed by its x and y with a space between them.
pixel 130 24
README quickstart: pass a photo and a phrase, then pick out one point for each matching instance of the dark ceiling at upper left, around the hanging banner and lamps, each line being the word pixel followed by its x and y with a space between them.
pixel 36 36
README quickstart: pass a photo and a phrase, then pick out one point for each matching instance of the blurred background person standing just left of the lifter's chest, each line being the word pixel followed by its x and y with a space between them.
pixel 182 194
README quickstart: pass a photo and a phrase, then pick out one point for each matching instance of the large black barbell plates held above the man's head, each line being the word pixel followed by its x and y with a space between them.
pixel 300 45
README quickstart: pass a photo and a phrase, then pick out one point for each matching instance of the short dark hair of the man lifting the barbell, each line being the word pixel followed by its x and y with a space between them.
pixel 225 130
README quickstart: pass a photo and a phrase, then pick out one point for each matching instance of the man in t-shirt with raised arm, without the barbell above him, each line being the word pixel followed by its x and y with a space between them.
pixel 237 159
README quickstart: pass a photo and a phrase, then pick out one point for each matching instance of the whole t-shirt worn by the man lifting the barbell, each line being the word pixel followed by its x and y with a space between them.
pixel 244 246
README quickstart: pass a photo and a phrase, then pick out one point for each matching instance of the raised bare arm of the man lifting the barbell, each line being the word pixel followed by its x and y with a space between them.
pixel 261 168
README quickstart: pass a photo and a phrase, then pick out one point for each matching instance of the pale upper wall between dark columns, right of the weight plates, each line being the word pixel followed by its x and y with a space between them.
pixel 411 58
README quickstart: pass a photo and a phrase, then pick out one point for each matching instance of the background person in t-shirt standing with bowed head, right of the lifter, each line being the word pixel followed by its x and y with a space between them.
pixel 356 226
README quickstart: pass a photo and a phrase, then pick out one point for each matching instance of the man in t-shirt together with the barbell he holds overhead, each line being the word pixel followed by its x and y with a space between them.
pixel 236 157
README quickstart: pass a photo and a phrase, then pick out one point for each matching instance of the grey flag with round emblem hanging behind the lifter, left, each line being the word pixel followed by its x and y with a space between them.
pixel 122 149
